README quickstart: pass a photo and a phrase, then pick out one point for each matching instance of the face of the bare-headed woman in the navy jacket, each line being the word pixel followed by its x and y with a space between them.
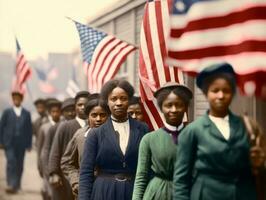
pixel 118 103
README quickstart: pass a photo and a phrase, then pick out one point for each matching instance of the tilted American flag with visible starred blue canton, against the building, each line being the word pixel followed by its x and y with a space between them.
pixel 102 54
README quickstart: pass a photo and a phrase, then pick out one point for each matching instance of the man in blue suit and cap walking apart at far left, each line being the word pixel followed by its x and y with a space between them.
pixel 16 138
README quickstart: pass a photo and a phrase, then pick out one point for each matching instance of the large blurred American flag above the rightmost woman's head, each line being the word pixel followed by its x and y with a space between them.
pixel 204 32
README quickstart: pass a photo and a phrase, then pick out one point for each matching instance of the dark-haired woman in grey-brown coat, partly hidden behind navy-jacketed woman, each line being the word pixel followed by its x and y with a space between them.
pixel 97 112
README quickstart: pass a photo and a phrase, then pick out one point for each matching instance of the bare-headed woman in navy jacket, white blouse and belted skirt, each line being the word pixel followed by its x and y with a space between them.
pixel 112 149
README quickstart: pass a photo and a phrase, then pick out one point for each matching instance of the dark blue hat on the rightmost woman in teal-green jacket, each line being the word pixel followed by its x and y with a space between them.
pixel 221 68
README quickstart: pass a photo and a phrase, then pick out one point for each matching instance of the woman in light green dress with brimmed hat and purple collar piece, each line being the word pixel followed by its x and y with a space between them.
pixel 157 149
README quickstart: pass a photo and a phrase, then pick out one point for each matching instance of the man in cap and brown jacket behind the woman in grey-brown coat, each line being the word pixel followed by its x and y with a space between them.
pixel 63 135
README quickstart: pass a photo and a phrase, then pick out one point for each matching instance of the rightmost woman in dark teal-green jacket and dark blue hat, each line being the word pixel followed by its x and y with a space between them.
pixel 213 152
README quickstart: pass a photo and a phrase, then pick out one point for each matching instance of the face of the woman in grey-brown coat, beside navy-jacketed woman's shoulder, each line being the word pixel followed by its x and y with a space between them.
pixel 97 116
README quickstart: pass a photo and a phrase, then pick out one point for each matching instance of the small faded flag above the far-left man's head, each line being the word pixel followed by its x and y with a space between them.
pixel 22 72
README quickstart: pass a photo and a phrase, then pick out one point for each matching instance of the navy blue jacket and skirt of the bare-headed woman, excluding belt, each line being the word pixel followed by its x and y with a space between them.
pixel 102 151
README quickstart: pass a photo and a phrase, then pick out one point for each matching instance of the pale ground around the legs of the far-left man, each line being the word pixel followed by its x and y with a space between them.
pixel 31 181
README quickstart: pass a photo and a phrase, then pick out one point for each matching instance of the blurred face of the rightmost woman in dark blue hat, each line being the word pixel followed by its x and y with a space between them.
pixel 219 96
